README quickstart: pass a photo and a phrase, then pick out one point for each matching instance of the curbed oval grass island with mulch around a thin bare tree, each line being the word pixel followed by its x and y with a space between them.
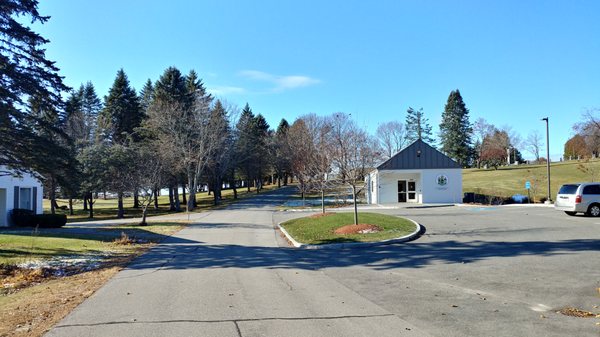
pixel 320 230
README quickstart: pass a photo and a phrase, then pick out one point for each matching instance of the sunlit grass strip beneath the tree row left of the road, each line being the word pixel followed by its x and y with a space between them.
pixel 107 209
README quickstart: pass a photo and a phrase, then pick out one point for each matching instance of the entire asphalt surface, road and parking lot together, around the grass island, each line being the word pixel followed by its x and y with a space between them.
pixel 477 271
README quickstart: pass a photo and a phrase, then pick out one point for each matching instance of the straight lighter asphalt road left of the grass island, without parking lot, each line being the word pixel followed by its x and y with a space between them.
pixel 226 276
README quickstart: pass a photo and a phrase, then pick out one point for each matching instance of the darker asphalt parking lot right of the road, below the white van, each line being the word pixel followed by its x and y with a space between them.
pixel 482 271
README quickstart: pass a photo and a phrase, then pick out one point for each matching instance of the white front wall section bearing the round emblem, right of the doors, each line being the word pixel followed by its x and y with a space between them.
pixel 450 193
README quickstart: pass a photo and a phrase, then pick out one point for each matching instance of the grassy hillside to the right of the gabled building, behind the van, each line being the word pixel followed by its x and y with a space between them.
pixel 507 181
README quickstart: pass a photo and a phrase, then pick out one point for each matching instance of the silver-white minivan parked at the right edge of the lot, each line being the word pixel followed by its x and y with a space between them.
pixel 579 198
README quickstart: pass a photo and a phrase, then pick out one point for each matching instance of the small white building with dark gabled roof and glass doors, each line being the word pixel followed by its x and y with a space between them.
pixel 417 174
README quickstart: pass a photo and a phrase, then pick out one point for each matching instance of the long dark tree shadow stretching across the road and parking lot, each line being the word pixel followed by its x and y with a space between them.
pixel 172 255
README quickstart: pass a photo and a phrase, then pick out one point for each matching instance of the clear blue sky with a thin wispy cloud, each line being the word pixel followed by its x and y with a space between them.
pixel 513 61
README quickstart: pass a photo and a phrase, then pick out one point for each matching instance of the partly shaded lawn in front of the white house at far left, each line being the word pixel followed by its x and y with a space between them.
pixel 19 245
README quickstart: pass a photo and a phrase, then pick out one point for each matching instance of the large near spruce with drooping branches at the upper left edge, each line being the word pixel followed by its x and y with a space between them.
pixel 25 72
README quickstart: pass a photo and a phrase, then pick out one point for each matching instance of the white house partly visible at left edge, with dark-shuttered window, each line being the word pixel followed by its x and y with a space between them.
pixel 18 192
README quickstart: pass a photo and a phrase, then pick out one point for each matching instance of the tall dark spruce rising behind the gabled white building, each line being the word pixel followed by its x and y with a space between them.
pixel 456 130
